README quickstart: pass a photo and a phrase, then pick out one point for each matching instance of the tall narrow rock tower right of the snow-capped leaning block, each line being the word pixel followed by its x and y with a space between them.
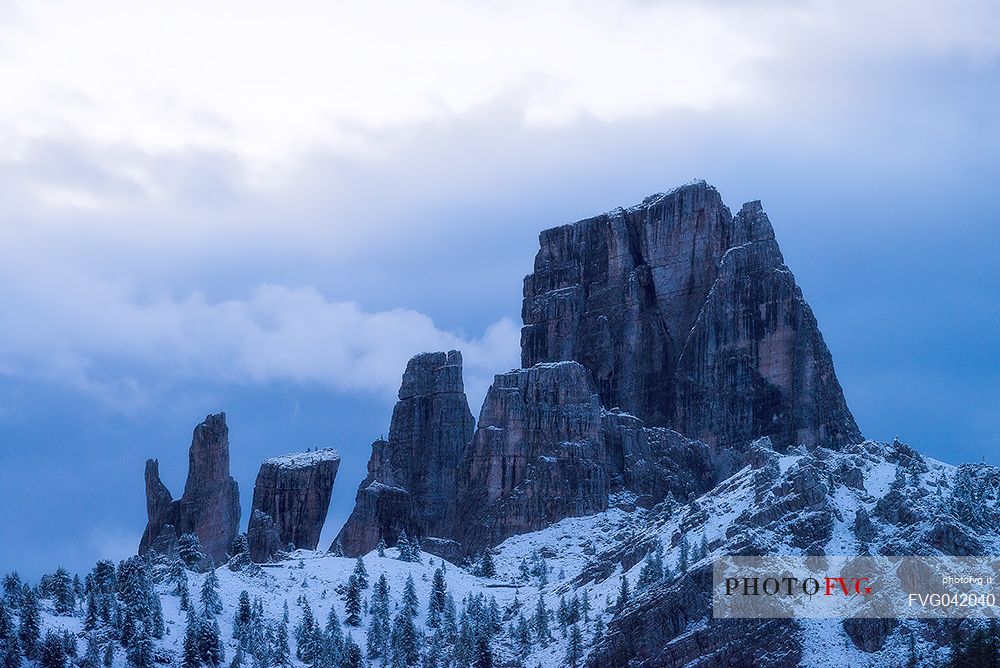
pixel 411 476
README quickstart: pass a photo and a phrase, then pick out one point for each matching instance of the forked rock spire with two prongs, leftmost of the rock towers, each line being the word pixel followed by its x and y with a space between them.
pixel 210 505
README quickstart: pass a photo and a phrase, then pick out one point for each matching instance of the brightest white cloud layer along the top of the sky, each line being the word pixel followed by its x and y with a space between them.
pixel 268 80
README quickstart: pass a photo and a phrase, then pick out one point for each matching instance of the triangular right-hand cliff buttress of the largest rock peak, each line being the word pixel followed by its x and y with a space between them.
pixel 755 363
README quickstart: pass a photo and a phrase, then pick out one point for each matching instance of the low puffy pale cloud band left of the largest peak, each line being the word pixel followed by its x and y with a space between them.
pixel 80 336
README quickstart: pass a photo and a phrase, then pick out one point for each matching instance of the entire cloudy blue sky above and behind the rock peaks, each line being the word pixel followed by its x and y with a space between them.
pixel 267 209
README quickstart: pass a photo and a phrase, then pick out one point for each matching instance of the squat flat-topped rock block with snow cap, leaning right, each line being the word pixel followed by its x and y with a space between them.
pixel 294 492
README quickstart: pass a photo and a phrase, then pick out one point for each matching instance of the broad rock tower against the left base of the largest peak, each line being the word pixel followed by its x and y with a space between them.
pixel 537 457
